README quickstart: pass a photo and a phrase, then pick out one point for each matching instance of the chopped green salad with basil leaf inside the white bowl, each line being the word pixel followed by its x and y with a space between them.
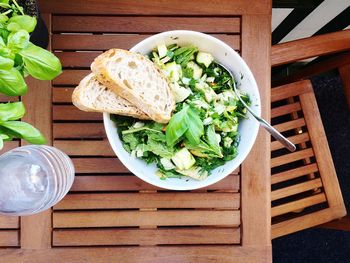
pixel 203 131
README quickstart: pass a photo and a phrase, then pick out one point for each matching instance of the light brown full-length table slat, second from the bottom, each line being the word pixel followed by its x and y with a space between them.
pixel 145 218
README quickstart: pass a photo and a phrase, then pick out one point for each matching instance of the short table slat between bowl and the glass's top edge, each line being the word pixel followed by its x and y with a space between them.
pixel 81 148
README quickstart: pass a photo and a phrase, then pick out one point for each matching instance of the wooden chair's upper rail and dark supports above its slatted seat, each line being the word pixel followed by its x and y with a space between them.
pixel 336 44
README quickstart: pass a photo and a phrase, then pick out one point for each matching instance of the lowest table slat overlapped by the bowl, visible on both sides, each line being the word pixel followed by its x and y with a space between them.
pixel 133 183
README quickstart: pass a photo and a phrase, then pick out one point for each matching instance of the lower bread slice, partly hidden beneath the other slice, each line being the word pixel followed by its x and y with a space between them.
pixel 93 96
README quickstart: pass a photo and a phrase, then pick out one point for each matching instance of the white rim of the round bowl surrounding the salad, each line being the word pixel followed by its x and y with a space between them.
pixel 240 157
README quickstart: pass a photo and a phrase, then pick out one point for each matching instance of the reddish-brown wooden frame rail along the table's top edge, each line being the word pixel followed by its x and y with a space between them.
pixel 154 7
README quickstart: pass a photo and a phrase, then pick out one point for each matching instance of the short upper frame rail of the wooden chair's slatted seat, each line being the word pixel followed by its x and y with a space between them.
pixel 290 90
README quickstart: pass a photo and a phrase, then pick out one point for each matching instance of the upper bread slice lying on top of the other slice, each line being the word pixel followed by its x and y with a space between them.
pixel 136 79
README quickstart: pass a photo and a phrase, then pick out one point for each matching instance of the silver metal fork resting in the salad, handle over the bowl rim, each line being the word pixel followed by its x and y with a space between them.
pixel 275 134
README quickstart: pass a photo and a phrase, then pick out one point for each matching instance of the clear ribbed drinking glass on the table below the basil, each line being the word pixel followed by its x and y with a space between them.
pixel 33 178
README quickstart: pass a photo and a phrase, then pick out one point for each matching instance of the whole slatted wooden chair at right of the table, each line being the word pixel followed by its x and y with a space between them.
pixel 305 188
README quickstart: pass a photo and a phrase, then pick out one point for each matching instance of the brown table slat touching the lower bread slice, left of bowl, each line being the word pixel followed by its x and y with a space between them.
pixel 71 113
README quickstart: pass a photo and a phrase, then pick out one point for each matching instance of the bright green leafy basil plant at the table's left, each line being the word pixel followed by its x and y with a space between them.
pixel 18 59
